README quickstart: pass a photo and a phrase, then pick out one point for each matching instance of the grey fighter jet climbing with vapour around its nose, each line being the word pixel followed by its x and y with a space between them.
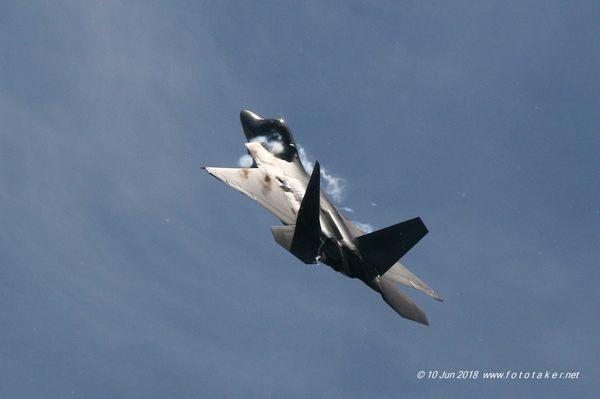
pixel 313 229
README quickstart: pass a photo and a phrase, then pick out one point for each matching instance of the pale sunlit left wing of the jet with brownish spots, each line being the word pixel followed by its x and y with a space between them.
pixel 256 184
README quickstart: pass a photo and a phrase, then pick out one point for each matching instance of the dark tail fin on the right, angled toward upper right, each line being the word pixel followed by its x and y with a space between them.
pixel 382 248
